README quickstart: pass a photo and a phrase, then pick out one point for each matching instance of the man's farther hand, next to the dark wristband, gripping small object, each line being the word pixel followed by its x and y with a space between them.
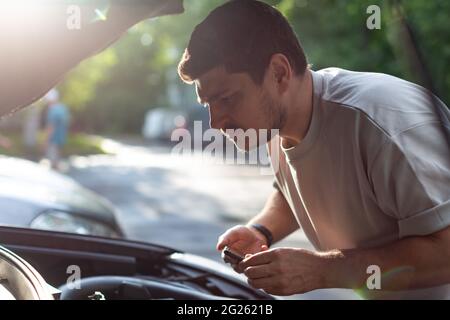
pixel 244 240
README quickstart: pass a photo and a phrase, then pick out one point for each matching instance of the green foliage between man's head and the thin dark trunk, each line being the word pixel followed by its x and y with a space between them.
pixel 334 33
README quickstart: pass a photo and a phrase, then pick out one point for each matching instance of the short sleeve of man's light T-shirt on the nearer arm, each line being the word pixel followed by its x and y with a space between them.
pixel 411 179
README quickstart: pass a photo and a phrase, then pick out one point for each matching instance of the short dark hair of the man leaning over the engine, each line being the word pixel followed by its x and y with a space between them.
pixel 241 35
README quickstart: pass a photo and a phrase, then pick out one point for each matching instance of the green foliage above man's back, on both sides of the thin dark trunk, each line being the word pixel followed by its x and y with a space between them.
pixel 334 33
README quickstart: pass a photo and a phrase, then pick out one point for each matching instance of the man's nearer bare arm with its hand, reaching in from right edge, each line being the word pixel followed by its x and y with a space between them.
pixel 409 263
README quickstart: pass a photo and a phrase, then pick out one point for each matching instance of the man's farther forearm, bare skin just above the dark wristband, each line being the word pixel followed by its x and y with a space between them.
pixel 277 217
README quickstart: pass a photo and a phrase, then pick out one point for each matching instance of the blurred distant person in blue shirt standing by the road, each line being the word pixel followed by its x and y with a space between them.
pixel 56 128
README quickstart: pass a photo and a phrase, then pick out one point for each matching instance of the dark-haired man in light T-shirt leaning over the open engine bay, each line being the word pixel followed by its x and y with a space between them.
pixel 363 164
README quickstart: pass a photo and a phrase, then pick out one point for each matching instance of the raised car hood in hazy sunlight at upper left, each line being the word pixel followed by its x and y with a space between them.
pixel 41 41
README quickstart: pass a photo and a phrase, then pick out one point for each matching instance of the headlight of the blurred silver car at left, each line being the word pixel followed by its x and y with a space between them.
pixel 66 222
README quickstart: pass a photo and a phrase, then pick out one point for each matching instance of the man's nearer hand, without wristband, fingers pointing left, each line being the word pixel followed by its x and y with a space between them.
pixel 285 271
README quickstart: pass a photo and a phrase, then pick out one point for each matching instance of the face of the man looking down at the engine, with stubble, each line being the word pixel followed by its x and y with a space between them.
pixel 236 102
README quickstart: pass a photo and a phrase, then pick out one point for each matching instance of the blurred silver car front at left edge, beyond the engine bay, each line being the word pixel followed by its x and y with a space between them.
pixel 36 197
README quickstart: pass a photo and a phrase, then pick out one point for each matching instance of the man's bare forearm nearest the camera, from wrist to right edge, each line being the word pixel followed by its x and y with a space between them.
pixel 410 263
